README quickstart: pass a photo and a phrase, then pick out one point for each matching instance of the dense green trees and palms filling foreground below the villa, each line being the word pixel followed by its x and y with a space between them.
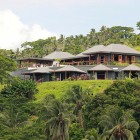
pixel 78 114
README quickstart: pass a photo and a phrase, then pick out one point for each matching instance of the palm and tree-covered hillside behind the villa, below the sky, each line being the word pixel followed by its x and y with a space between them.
pixel 78 43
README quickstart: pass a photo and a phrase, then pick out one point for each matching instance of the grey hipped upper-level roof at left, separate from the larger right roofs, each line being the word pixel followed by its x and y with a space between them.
pixel 59 55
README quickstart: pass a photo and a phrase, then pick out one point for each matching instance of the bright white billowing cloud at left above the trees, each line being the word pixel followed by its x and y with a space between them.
pixel 13 31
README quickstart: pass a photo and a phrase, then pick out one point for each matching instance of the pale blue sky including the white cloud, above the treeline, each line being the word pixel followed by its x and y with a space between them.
pixel 30 20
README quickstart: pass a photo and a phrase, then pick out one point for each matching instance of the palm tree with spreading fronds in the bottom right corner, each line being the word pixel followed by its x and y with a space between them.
pixel 118 124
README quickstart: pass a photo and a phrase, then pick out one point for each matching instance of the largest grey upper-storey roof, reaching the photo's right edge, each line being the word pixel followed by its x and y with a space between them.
pixel 119 48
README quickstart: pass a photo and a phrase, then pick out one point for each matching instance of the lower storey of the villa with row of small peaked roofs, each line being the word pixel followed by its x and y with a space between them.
pixel 82 72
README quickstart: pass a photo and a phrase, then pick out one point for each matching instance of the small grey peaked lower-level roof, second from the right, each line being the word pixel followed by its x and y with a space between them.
pixel 100 67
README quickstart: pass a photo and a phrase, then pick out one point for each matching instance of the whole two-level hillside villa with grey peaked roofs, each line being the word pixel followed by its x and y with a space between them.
pixel 99 62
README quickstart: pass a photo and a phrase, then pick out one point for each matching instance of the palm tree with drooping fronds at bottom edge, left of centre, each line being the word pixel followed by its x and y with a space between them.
pixel 58 120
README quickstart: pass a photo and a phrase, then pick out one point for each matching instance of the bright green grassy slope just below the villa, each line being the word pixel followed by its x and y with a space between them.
pixel 59 88
